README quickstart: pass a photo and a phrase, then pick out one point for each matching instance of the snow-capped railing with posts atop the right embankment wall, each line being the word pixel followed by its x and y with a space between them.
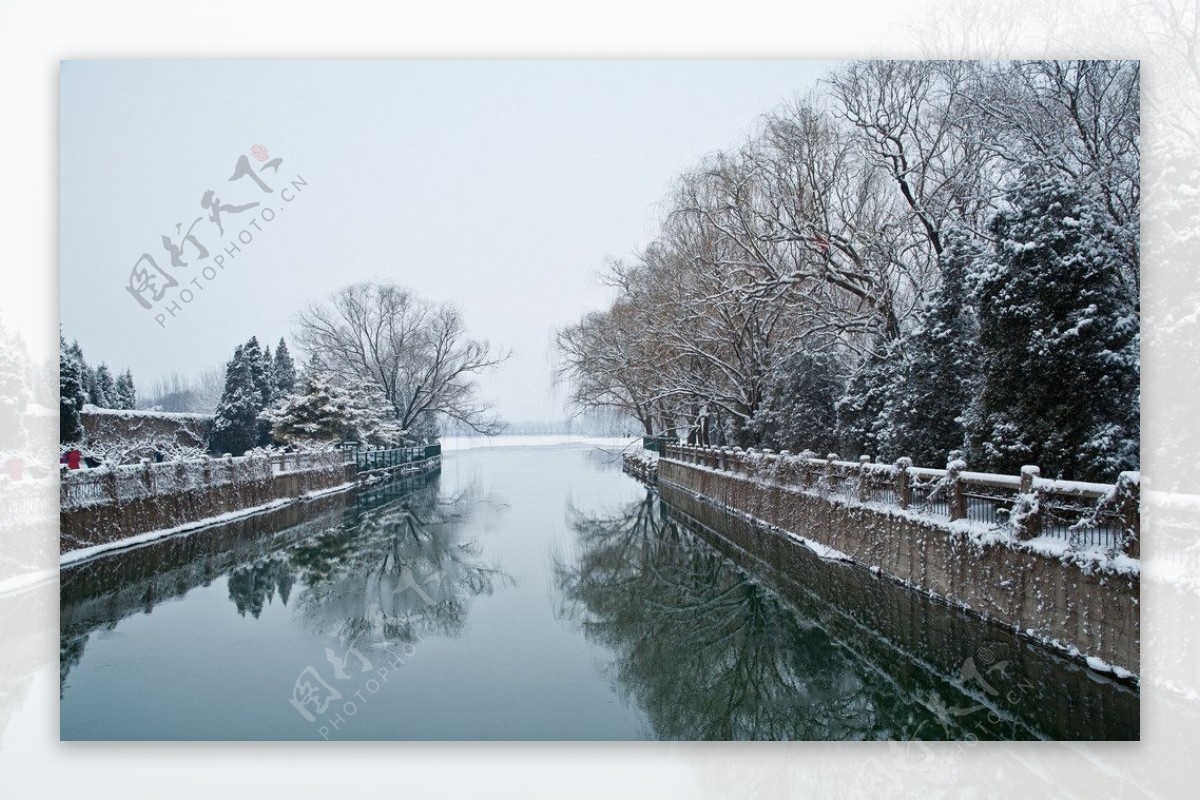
pixel 1083 514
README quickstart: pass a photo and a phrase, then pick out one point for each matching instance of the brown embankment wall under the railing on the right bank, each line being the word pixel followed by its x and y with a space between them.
pixel 1082 605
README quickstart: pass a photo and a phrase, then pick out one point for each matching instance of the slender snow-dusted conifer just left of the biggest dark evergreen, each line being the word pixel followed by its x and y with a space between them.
pixel 939 375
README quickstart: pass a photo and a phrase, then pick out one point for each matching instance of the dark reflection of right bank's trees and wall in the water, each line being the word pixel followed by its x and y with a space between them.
pixel 717 645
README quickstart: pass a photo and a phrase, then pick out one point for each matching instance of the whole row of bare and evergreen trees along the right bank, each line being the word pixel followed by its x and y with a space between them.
pixel 917 257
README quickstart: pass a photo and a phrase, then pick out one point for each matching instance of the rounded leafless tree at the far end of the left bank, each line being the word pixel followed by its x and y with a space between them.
pixel 418 353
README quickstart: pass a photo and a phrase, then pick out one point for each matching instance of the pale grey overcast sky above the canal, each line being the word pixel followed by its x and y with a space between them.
pixel 500 186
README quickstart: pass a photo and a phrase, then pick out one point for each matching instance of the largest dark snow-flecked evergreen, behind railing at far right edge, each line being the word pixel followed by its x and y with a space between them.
pixel 1059 340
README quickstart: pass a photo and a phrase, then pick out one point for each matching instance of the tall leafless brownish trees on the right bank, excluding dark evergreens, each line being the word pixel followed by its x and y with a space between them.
pixel 842 242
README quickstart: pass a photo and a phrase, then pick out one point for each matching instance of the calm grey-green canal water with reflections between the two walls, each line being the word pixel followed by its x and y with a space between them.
pixel 535 594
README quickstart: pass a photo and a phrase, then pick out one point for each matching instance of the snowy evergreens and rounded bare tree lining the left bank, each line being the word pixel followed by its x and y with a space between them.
pixel 381 368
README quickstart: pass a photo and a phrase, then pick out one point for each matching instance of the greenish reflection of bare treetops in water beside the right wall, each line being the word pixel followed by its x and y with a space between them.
pixel 709 653
